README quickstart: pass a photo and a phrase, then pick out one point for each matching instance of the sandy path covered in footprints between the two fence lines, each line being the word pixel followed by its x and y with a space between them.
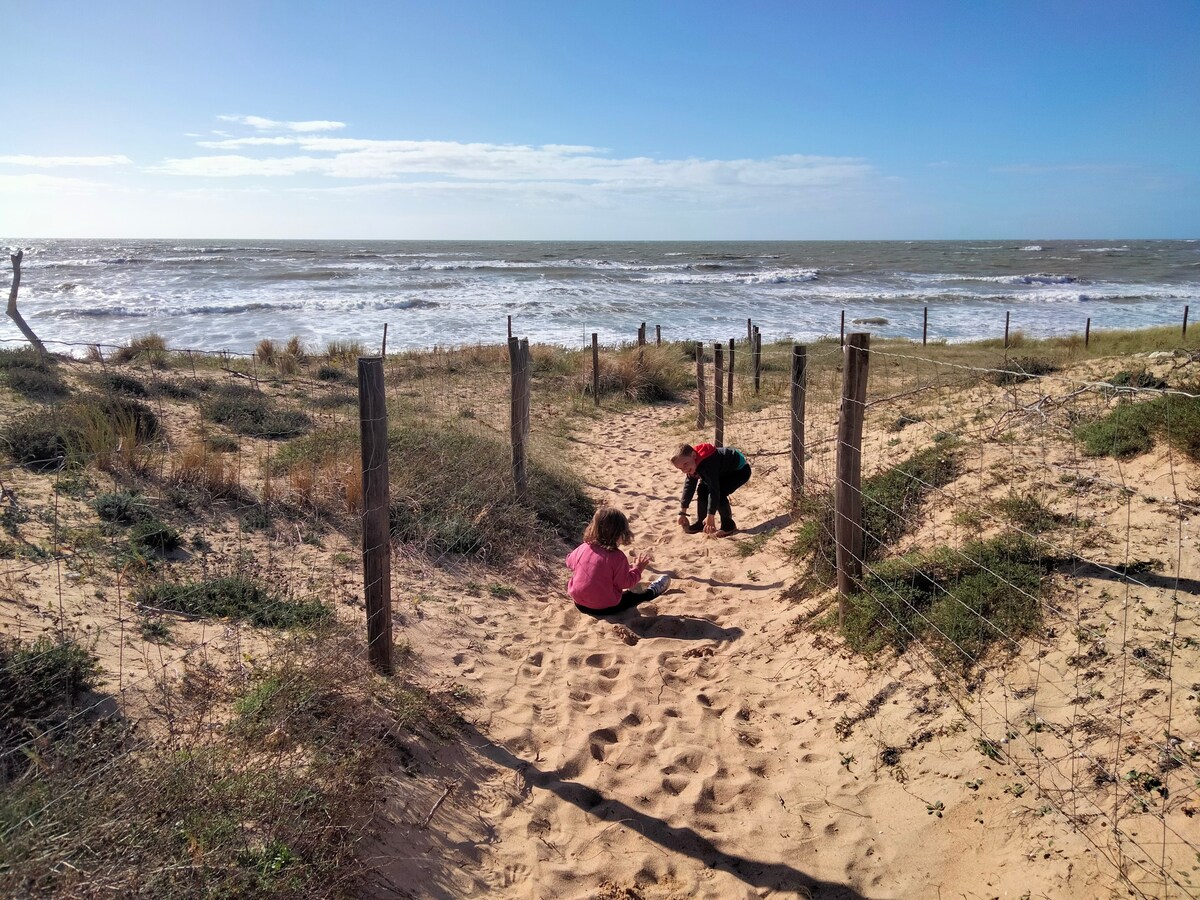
pixel 711 746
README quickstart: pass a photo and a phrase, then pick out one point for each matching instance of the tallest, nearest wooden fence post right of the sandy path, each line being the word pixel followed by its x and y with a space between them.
pixel 848 494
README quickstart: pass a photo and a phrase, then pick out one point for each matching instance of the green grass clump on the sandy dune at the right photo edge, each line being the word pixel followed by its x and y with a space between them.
pixel 1132 428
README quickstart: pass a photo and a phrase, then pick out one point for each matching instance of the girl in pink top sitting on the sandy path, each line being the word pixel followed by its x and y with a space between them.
pixel 602 578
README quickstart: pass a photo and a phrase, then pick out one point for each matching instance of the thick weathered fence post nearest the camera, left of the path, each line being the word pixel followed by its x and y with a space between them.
pixel 376 503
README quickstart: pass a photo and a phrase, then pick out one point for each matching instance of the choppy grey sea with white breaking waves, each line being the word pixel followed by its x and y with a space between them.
pixel 230 295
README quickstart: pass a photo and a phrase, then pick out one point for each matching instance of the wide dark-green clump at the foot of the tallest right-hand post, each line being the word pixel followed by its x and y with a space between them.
pixel 958 603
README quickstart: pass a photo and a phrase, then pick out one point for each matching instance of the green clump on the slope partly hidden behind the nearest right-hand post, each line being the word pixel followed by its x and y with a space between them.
pixel 891 501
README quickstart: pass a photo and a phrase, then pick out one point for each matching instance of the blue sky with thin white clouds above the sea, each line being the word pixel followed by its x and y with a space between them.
pixel 698 121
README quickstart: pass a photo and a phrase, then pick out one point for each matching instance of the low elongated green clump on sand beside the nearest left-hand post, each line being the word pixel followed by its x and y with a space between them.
pixel 235 597
